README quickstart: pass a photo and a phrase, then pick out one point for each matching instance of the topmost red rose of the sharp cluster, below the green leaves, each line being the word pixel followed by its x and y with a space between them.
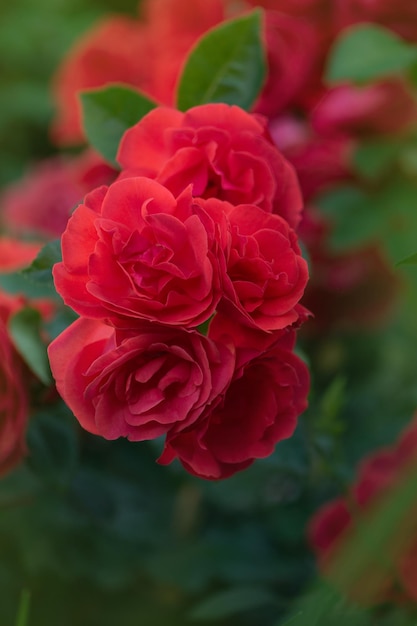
pixel 222 150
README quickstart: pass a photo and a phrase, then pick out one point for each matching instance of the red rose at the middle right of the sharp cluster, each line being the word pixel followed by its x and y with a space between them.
pixel 266 273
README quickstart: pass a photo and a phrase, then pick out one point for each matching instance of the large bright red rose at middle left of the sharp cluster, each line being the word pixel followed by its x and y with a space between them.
pixel 134 251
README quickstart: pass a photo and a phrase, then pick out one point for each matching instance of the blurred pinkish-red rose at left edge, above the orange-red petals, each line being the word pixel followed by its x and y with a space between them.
pixel 42 201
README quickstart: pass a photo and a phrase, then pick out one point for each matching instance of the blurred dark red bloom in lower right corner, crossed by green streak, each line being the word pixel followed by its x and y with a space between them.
pixel 392 578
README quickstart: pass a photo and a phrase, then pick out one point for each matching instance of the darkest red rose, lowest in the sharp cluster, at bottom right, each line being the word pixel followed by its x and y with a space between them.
pixel 260 408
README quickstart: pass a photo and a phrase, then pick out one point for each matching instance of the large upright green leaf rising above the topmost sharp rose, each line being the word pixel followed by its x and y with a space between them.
pixel 227 65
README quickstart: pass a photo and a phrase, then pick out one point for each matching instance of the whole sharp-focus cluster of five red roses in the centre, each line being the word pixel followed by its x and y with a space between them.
pixel 187 275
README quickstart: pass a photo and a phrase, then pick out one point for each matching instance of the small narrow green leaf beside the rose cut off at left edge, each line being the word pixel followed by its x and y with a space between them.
pixel 25 328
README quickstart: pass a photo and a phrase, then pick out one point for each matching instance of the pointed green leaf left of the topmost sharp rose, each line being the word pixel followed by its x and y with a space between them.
pixel 108 112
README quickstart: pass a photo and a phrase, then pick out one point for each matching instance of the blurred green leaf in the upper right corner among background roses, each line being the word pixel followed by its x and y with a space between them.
pixel 367 52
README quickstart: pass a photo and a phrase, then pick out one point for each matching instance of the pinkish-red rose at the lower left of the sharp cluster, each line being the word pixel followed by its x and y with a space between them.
pixel 139 383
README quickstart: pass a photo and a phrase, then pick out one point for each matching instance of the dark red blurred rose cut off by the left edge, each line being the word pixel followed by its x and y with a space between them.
pixel 13 404
